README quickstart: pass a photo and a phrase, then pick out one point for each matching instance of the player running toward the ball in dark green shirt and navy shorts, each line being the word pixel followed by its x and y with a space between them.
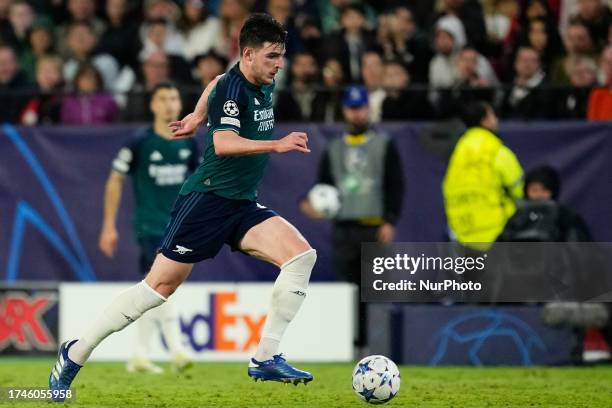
pixel 217 205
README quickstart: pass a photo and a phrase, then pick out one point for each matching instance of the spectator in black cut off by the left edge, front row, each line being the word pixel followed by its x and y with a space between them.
pixel 12 84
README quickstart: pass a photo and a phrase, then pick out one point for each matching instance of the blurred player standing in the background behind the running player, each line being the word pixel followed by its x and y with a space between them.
pixel 158 166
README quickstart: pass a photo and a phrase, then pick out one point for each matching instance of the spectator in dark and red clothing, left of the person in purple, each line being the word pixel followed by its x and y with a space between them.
pixel 45 106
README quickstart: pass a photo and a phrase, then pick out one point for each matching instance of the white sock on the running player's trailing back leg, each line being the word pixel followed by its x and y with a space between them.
pixel 126 308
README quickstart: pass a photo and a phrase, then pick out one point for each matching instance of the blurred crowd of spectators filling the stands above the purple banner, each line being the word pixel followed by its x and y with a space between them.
pixel 86 62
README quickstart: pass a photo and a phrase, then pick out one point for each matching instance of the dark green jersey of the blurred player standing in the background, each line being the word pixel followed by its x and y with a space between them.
pixel 158 167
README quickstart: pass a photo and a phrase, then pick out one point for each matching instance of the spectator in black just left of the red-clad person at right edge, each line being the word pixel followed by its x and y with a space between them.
pixel 572 102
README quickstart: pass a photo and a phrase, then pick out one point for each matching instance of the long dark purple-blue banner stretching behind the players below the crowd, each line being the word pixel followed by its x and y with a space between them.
pixel 52 184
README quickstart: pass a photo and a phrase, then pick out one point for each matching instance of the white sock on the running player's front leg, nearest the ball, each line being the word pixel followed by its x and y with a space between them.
pixel 287 297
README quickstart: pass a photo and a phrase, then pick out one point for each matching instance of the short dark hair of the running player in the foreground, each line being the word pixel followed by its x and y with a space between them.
pixel 261 28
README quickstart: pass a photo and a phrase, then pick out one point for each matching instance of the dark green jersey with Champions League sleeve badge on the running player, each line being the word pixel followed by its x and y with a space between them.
pixel 237 105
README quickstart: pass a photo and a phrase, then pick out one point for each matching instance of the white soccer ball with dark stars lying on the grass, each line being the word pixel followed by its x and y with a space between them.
pixel 376 379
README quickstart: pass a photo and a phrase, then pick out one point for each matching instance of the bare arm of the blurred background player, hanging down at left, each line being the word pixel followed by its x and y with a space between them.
pixel 112 198
